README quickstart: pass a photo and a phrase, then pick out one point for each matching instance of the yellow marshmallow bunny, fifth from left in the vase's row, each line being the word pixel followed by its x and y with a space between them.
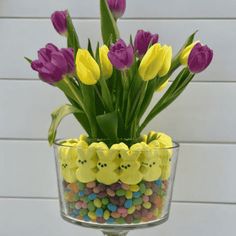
pixel 151 162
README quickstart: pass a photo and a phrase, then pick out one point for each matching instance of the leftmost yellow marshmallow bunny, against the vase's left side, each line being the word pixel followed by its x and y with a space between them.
pixel 67 160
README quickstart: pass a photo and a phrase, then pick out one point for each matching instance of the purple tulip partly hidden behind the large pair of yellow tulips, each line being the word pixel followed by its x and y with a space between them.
pixel 143 40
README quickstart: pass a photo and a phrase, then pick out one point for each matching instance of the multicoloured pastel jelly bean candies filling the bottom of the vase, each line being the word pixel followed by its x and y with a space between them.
pixel 118 203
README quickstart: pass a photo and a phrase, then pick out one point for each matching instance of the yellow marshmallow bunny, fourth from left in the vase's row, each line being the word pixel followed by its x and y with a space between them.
pixel 130 165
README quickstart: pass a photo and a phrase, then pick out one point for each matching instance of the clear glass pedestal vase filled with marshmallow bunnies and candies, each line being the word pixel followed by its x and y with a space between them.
pixel 118 195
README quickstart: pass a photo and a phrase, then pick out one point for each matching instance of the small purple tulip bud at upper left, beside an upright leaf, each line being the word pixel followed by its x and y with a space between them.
pixel 59 22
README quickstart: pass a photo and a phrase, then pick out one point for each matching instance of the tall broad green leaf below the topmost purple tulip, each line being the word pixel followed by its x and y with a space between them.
pixel 108 25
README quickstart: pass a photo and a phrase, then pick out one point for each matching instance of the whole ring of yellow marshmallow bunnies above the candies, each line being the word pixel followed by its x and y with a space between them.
pixel 86 163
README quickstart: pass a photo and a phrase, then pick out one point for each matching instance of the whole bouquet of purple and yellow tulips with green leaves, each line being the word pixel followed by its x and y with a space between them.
pixel 110 87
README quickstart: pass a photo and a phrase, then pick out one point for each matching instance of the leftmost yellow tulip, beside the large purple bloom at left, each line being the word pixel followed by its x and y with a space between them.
pixel 87 68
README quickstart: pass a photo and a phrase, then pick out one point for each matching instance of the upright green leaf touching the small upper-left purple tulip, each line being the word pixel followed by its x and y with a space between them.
pixel 72 38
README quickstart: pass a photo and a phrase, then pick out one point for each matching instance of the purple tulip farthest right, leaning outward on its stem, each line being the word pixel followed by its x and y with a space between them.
pixel 199 58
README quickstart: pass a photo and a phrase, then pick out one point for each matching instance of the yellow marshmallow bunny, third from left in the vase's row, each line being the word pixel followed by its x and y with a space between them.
pixel 108 164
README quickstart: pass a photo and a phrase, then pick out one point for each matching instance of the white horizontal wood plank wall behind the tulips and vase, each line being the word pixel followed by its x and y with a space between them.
pixel 202 119
